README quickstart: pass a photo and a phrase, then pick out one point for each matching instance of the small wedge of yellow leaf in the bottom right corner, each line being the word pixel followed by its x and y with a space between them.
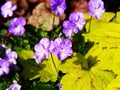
pixel 115 84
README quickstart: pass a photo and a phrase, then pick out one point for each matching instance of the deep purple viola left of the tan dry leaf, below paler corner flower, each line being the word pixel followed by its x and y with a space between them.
pixel 17 26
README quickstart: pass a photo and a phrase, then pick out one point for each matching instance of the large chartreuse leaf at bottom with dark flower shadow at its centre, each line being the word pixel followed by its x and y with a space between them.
pixel 82 73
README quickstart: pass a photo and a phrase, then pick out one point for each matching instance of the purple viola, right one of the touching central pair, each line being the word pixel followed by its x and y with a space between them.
pixel 62 48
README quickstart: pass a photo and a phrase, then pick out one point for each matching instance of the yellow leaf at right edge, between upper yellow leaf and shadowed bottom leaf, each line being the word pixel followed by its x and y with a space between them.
pixel 109 57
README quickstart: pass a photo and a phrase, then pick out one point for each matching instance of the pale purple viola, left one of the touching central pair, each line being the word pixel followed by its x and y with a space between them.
pixel 42 50
